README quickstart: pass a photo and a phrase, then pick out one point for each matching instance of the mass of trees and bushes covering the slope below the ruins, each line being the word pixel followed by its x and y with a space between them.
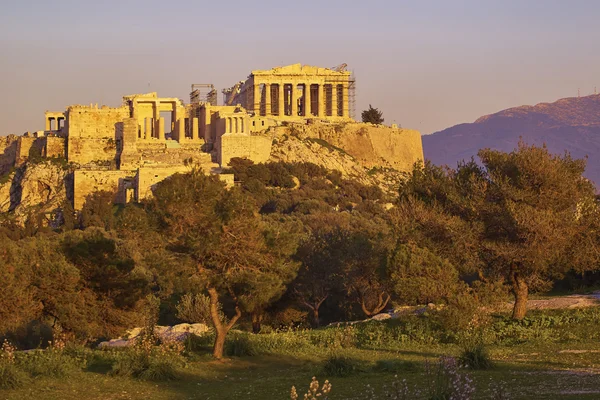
pixel 294 246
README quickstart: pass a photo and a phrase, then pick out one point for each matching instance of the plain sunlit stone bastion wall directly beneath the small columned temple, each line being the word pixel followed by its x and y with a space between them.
pixel 255 148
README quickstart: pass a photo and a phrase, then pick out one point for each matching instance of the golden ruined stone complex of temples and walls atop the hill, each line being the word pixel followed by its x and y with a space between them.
pixel 147 138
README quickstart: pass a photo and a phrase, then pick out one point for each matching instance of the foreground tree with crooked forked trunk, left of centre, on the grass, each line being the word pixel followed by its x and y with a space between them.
pixel 220 230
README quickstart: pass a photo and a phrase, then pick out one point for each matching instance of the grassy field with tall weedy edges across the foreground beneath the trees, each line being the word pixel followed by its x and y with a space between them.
pixel 541 361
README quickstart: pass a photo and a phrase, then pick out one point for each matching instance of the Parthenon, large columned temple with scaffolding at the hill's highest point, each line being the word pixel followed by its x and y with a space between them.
pixel 295 91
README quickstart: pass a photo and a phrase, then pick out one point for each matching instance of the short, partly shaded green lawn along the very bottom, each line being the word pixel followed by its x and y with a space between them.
pixel 528 371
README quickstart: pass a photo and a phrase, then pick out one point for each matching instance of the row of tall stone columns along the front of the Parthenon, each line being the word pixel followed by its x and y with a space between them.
pixel 338 94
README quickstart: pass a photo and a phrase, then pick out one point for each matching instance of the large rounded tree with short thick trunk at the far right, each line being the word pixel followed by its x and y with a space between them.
pixel 537 206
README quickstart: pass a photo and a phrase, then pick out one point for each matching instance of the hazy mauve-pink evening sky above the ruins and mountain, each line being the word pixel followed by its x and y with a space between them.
pixel 427 65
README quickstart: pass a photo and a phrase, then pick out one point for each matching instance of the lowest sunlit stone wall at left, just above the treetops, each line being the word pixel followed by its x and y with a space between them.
pixel 88 182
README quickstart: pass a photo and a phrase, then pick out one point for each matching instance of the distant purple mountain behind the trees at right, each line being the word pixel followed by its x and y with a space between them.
pixel 571 124
